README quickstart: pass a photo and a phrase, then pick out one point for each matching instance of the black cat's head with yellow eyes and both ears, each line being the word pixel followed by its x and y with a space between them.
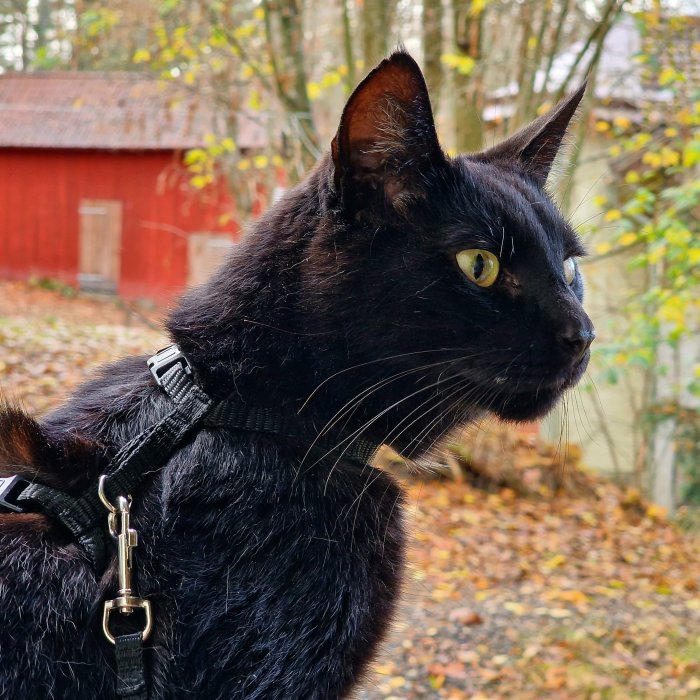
pixel 461 267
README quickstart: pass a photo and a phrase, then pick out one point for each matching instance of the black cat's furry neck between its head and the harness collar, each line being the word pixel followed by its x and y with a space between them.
pixel 260 330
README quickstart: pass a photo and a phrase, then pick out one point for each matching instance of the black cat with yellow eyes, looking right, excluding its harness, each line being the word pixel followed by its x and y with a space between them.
pixel 393 294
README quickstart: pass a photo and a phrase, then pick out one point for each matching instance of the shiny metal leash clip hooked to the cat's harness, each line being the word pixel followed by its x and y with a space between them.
pixel 127 539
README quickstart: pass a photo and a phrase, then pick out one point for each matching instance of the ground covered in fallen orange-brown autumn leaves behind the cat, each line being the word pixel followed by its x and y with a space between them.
pixel 544 581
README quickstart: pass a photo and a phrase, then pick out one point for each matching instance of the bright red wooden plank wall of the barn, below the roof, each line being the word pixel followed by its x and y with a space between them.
pixel 40 194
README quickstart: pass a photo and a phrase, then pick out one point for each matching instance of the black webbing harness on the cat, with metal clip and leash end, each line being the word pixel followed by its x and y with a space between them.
pixel 84 516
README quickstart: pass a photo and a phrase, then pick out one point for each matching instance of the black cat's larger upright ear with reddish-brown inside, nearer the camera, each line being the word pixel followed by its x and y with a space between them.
pixel 386 141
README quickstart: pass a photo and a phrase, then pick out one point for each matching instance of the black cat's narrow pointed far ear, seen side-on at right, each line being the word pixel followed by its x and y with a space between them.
pixel 535 146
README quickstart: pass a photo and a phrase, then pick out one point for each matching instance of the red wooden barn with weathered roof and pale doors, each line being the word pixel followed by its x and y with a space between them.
pixel 93 191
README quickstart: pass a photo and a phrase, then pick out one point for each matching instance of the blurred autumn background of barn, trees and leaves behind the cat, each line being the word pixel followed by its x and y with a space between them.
pixel 139 139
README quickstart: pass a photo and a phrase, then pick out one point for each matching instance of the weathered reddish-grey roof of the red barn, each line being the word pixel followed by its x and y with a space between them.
pixel 109 111
